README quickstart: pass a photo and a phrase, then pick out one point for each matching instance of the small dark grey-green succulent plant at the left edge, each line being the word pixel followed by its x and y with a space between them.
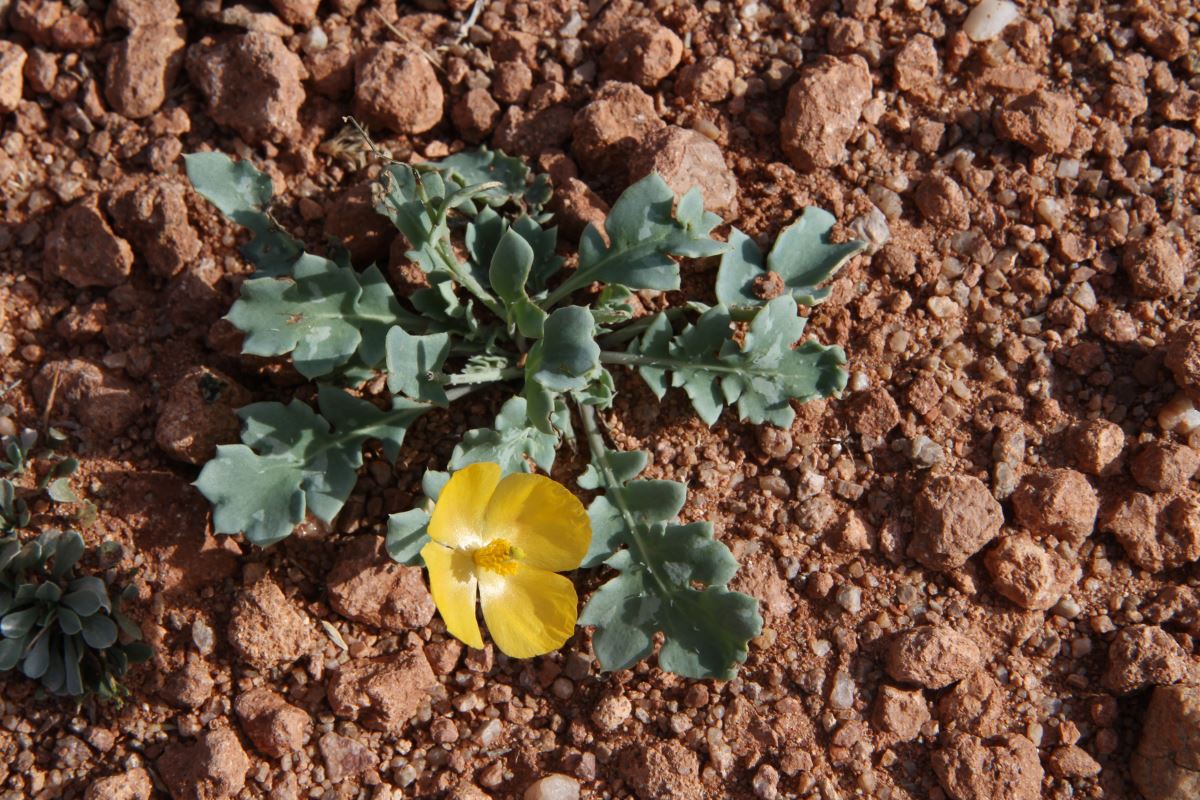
pixel 63 629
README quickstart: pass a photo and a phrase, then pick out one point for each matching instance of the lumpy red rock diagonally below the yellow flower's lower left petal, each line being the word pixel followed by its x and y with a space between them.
pixel 382 694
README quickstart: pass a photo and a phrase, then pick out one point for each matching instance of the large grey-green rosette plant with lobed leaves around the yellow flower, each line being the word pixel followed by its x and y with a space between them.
pixel 501 310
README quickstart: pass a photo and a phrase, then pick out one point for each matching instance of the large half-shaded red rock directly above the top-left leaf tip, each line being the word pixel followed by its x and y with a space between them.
pixel 253 83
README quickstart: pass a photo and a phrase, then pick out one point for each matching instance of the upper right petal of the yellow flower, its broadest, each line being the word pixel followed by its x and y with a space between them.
pixel 542 519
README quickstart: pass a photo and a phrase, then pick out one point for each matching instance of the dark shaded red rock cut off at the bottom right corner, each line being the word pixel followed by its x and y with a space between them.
pixel 1167 763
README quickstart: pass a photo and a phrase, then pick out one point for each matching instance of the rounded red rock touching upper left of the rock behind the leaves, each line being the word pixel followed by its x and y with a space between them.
pixel 610 129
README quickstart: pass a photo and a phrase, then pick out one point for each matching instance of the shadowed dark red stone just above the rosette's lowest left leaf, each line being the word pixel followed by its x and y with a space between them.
pixel 200 414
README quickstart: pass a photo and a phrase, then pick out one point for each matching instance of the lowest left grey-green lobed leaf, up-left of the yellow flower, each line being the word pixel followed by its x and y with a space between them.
pixel 292 462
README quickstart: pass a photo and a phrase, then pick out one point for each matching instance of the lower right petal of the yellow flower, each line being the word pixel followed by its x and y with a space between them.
pixel 529 613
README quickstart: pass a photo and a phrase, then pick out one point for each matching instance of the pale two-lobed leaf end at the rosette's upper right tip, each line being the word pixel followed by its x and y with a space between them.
pixel 803 257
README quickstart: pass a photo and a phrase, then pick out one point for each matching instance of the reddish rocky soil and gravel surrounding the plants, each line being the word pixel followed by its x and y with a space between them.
pixel 979 568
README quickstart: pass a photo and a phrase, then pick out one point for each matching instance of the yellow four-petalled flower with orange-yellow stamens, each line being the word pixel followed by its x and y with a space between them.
pixel 505 542
